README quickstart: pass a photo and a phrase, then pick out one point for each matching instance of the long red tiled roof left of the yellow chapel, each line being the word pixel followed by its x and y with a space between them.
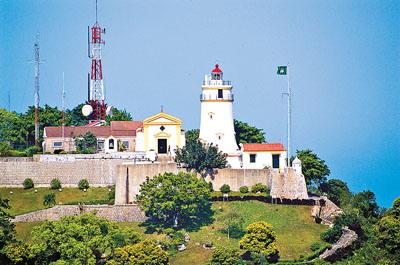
pixel 117 128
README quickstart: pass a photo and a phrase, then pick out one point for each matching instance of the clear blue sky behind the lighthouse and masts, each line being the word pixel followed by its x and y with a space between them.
pixel 344 60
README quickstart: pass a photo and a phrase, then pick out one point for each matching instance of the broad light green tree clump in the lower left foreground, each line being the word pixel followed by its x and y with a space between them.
pixel 79 239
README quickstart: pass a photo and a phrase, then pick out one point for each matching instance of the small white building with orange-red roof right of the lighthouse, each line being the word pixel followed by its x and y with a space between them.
pixel 259 156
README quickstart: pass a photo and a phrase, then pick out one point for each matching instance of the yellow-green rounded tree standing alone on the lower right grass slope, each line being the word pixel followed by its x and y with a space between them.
pixel 260 239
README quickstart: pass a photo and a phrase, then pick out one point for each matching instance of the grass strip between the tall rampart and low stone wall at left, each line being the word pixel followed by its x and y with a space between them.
pixel 24 201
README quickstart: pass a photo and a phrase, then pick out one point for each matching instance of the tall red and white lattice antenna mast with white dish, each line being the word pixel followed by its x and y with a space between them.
pixel 97 111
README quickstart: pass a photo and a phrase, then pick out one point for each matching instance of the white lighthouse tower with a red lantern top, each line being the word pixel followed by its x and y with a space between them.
pixel 216 122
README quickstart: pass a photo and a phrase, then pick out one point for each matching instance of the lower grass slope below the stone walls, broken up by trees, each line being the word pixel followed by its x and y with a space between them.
pixel 294 226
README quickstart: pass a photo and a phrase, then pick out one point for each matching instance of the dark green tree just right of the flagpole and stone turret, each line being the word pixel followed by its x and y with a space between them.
pixel 314 169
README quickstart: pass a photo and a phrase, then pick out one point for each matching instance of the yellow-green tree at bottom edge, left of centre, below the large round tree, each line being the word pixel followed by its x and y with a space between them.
pixel 143 253
